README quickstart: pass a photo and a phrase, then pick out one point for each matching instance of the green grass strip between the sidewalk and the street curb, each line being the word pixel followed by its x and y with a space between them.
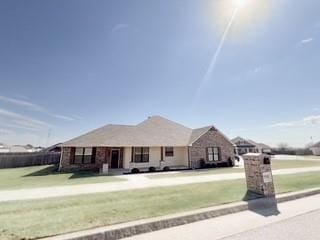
pixel 32 219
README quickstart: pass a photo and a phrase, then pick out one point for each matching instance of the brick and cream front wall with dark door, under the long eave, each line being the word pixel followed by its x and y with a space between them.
pixel 123 158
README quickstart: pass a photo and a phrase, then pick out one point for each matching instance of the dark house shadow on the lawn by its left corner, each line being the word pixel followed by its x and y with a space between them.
pixel 53 170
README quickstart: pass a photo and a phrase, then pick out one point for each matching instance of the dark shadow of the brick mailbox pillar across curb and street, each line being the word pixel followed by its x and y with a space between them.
pixel 265 206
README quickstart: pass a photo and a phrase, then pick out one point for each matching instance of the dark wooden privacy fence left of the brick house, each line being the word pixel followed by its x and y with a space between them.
pixel 13 160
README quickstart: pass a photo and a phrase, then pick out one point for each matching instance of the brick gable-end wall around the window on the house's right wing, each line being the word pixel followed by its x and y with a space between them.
pixel 198 150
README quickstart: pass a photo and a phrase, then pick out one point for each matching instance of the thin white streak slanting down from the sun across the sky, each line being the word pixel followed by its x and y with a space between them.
pixel 215 56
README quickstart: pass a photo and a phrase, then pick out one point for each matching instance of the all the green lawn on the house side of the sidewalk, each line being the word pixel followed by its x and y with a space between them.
pixel 46 176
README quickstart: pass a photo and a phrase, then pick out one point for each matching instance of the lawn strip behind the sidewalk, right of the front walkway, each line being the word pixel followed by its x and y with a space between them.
pixel 276 164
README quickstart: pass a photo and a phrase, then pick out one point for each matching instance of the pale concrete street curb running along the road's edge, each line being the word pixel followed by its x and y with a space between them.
pixel 129 229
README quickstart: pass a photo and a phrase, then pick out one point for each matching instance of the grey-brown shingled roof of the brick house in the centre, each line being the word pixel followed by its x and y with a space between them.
pixel 155 131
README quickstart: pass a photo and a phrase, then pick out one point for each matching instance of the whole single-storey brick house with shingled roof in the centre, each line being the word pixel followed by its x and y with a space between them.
pixel 155 143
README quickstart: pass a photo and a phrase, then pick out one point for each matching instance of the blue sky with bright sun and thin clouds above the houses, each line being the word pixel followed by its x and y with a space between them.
pixel 67 67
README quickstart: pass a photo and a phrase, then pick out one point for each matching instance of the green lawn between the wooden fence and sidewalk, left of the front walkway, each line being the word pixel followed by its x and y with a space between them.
pixel 46 176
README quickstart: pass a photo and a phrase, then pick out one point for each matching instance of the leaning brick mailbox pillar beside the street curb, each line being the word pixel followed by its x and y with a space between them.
pixel 259 174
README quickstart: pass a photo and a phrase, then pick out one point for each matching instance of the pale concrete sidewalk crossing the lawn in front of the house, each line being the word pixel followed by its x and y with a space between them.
pixel 138 181
